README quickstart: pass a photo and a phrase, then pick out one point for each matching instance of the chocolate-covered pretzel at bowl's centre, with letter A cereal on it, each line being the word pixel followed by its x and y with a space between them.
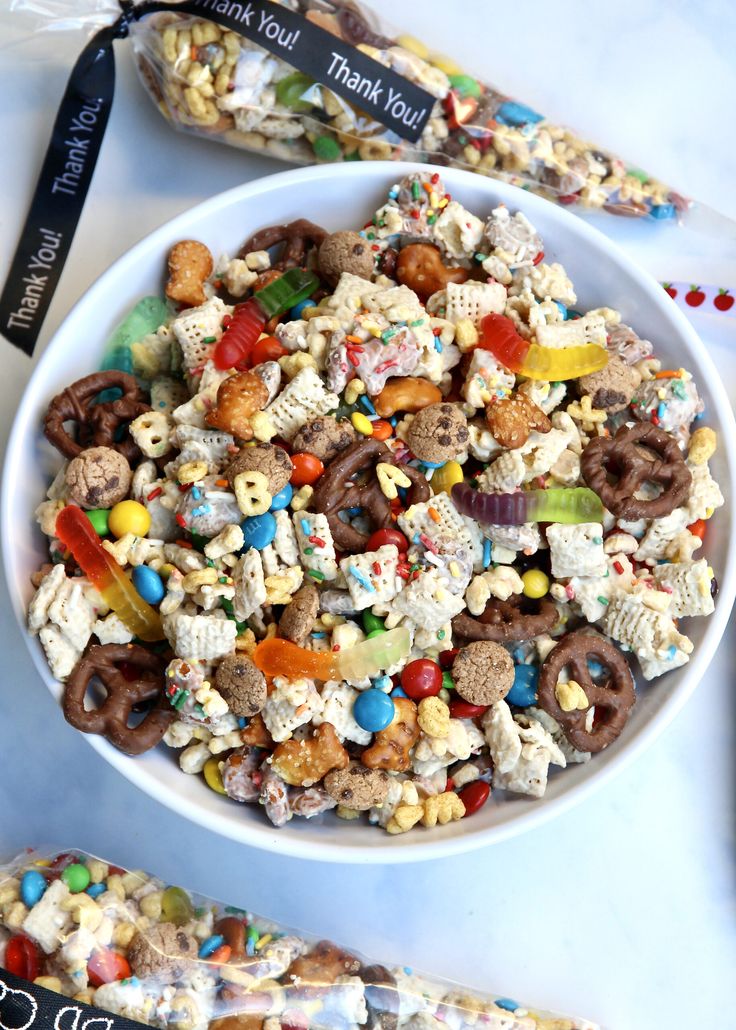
pixel 338 492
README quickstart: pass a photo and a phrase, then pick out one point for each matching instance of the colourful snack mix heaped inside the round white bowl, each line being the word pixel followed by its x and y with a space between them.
pixel 373 522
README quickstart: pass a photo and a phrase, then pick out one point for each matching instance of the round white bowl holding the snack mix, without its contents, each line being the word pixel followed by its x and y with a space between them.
pixel 339 197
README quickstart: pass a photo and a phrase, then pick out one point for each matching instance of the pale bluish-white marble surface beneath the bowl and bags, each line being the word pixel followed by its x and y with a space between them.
pixel 621 910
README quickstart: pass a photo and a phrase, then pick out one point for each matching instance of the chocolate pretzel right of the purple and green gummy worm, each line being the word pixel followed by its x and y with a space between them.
pixel 639 455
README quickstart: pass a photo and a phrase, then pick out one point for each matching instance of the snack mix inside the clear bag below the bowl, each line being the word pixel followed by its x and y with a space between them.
pixel 130 945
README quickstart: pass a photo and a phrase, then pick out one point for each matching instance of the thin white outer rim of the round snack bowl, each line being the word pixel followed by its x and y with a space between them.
pixel 384 849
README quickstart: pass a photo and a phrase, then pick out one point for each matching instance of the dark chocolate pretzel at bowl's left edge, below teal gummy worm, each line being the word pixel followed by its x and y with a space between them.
pixel 97 424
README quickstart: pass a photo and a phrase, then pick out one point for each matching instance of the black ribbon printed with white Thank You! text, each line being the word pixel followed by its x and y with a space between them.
pixel 83 116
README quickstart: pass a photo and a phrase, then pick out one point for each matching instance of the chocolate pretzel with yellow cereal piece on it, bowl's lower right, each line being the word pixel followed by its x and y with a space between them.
pixel 613 702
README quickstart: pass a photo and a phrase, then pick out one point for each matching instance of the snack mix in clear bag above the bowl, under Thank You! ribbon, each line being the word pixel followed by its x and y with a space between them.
pixel 208 80
